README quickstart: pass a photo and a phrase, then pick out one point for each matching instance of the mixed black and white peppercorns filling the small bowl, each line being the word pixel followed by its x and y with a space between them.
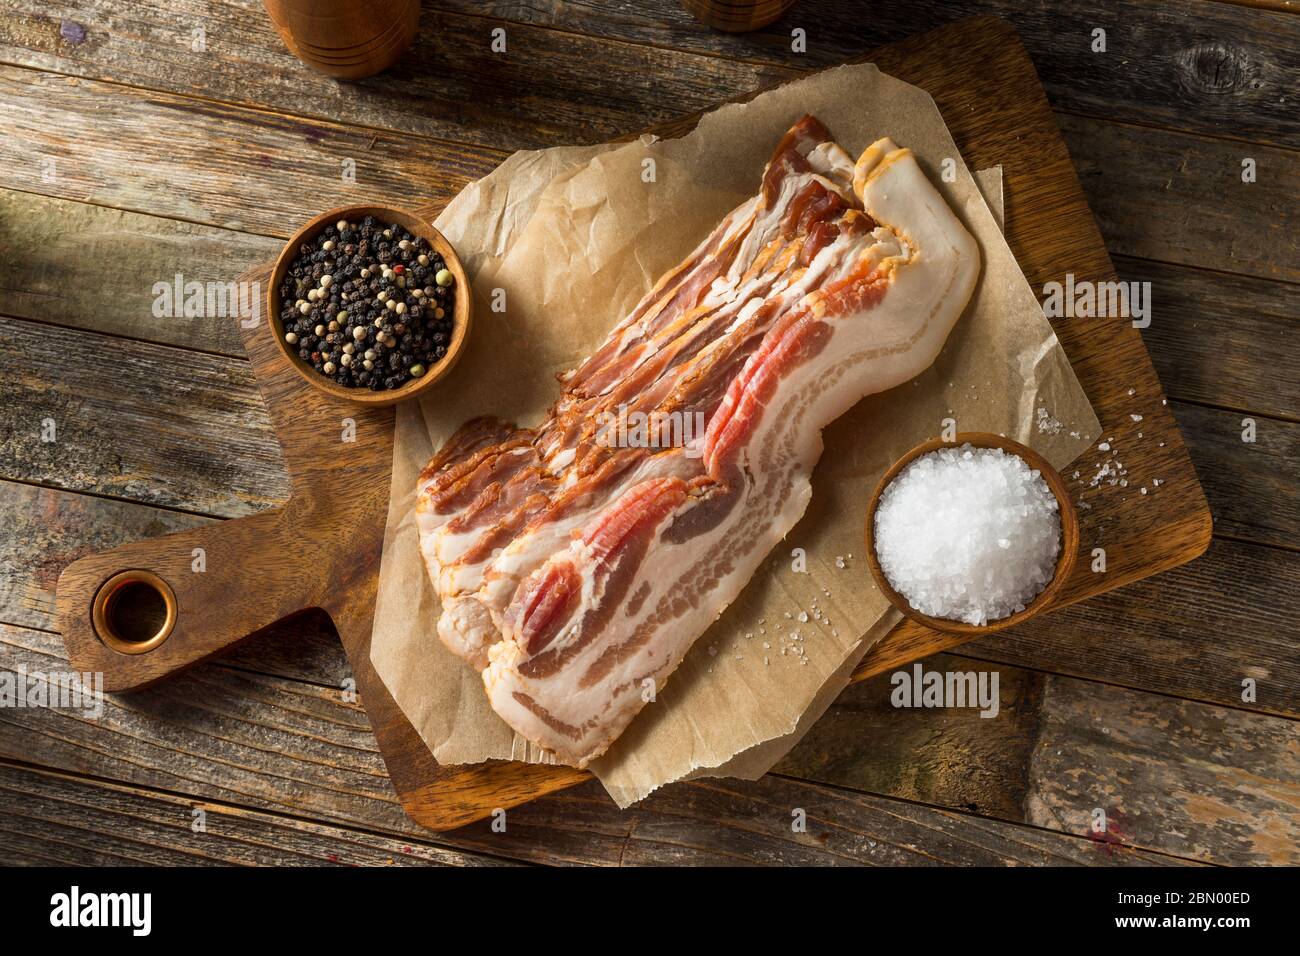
pixel 369 305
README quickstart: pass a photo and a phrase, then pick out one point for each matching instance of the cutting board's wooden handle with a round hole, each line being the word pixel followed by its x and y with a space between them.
pixel 201 586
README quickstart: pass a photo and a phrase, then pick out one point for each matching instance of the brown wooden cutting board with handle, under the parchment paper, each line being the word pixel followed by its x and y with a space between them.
pixel 323 548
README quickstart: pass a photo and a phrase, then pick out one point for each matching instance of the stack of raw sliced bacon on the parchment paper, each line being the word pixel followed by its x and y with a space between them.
pixel 577 574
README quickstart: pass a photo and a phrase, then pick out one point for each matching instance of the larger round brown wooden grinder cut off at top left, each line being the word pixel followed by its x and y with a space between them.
pixel 346 40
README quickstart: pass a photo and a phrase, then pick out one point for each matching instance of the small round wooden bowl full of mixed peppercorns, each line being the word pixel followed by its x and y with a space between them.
pixel 370 305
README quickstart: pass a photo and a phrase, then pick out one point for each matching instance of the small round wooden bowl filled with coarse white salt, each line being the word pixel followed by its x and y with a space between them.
pixel 950 560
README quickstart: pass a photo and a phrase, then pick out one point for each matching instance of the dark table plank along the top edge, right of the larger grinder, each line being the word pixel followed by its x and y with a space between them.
pixel 1185 64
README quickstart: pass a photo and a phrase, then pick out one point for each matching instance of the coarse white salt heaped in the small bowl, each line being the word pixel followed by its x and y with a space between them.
pixel 968 534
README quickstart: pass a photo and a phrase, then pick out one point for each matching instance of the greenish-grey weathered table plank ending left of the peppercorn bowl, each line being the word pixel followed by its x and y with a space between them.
pixel 90 267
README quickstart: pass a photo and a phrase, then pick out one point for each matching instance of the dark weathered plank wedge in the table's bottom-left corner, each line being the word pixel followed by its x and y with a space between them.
pixel 73 823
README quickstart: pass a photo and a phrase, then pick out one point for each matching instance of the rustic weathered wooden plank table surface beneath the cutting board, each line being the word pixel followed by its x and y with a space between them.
pixel 146 139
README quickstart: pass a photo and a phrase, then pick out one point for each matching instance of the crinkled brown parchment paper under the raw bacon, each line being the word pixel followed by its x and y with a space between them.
pixel 567 241
